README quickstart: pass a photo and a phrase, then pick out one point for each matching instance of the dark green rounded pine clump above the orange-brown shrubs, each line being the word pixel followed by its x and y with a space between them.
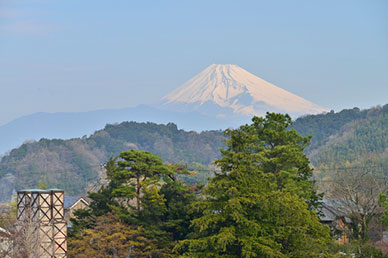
pixel 142 192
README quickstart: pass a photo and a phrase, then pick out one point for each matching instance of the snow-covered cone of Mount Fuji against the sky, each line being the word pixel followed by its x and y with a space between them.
pixel 228 89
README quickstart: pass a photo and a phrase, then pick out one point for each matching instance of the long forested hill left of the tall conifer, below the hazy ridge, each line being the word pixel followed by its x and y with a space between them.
pixel 76 163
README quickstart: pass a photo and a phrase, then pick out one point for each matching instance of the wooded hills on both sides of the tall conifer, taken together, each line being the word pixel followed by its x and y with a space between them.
pixel 349 138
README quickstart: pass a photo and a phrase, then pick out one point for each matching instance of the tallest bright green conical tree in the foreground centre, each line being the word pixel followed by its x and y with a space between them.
pixel 260 204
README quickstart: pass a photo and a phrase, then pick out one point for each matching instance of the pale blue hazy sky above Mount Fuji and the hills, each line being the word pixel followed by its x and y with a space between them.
pixel 83 55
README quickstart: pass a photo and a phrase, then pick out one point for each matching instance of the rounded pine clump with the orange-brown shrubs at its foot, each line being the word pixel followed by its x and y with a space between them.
pixel 146 203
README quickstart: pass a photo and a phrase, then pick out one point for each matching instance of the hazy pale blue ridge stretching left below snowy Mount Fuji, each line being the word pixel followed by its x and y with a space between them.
pixel 71 125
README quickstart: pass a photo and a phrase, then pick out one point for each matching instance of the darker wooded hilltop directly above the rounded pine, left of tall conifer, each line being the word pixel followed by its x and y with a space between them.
pixel 166 141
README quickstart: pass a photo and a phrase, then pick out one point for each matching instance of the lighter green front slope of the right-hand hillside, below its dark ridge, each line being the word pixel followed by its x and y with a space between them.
pixel 361 143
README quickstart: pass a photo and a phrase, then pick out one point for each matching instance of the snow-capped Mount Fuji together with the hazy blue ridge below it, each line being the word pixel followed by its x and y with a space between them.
pixel 219 97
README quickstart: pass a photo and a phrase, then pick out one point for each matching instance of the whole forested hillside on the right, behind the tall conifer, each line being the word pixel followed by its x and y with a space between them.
pixel 346 140
